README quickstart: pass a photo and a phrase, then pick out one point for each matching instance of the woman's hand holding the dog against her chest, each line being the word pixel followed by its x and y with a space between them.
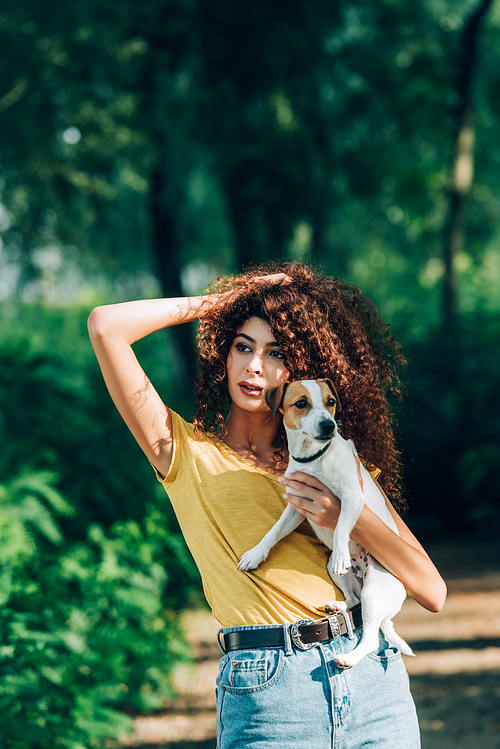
pixel 317 504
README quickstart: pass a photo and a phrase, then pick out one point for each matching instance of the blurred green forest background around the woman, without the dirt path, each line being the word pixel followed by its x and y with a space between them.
pixel 147 148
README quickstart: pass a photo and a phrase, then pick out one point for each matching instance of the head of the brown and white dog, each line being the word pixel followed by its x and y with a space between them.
pixel 308 406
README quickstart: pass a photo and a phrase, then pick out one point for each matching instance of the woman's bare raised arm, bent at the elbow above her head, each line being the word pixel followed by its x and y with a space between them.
pixel 113 329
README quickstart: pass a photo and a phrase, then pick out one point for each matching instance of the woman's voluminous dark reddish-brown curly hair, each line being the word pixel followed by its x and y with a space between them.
pixel 326 329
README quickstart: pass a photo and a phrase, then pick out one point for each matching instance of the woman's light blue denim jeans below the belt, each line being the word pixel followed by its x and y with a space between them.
pixel 298 699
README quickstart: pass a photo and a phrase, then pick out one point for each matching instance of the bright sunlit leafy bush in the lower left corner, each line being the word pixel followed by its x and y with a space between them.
pixel 84 632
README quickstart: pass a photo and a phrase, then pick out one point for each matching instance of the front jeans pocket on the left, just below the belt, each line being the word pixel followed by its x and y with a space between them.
pixel 251 670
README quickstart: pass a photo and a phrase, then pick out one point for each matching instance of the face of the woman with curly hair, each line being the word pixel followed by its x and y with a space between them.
pixel 255 361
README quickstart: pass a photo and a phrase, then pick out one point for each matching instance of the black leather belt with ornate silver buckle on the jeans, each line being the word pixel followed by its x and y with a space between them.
pixel 305 634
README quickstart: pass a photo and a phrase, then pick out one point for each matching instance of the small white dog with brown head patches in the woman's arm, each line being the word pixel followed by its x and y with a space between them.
pixel 317 448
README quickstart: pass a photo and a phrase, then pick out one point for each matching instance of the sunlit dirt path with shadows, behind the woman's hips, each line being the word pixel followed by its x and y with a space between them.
pixel 455 678
